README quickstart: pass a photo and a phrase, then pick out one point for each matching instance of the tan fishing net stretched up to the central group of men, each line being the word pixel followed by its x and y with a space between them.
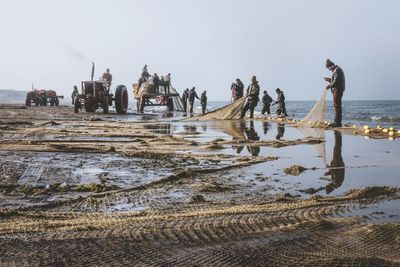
pixel 228 112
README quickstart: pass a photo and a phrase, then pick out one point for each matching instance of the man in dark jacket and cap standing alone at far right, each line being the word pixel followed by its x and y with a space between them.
pixel 337 86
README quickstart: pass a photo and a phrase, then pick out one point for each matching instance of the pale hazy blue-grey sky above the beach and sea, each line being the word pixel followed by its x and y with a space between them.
pixel 204 43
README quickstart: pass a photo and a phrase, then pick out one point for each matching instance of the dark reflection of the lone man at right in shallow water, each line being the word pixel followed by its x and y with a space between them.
pixel 337 167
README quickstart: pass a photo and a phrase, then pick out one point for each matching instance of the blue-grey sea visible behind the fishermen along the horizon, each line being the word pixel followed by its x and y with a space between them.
pixel 385 113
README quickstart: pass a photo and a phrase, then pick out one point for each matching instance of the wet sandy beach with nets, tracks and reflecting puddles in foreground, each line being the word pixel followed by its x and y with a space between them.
pixel 93 189
